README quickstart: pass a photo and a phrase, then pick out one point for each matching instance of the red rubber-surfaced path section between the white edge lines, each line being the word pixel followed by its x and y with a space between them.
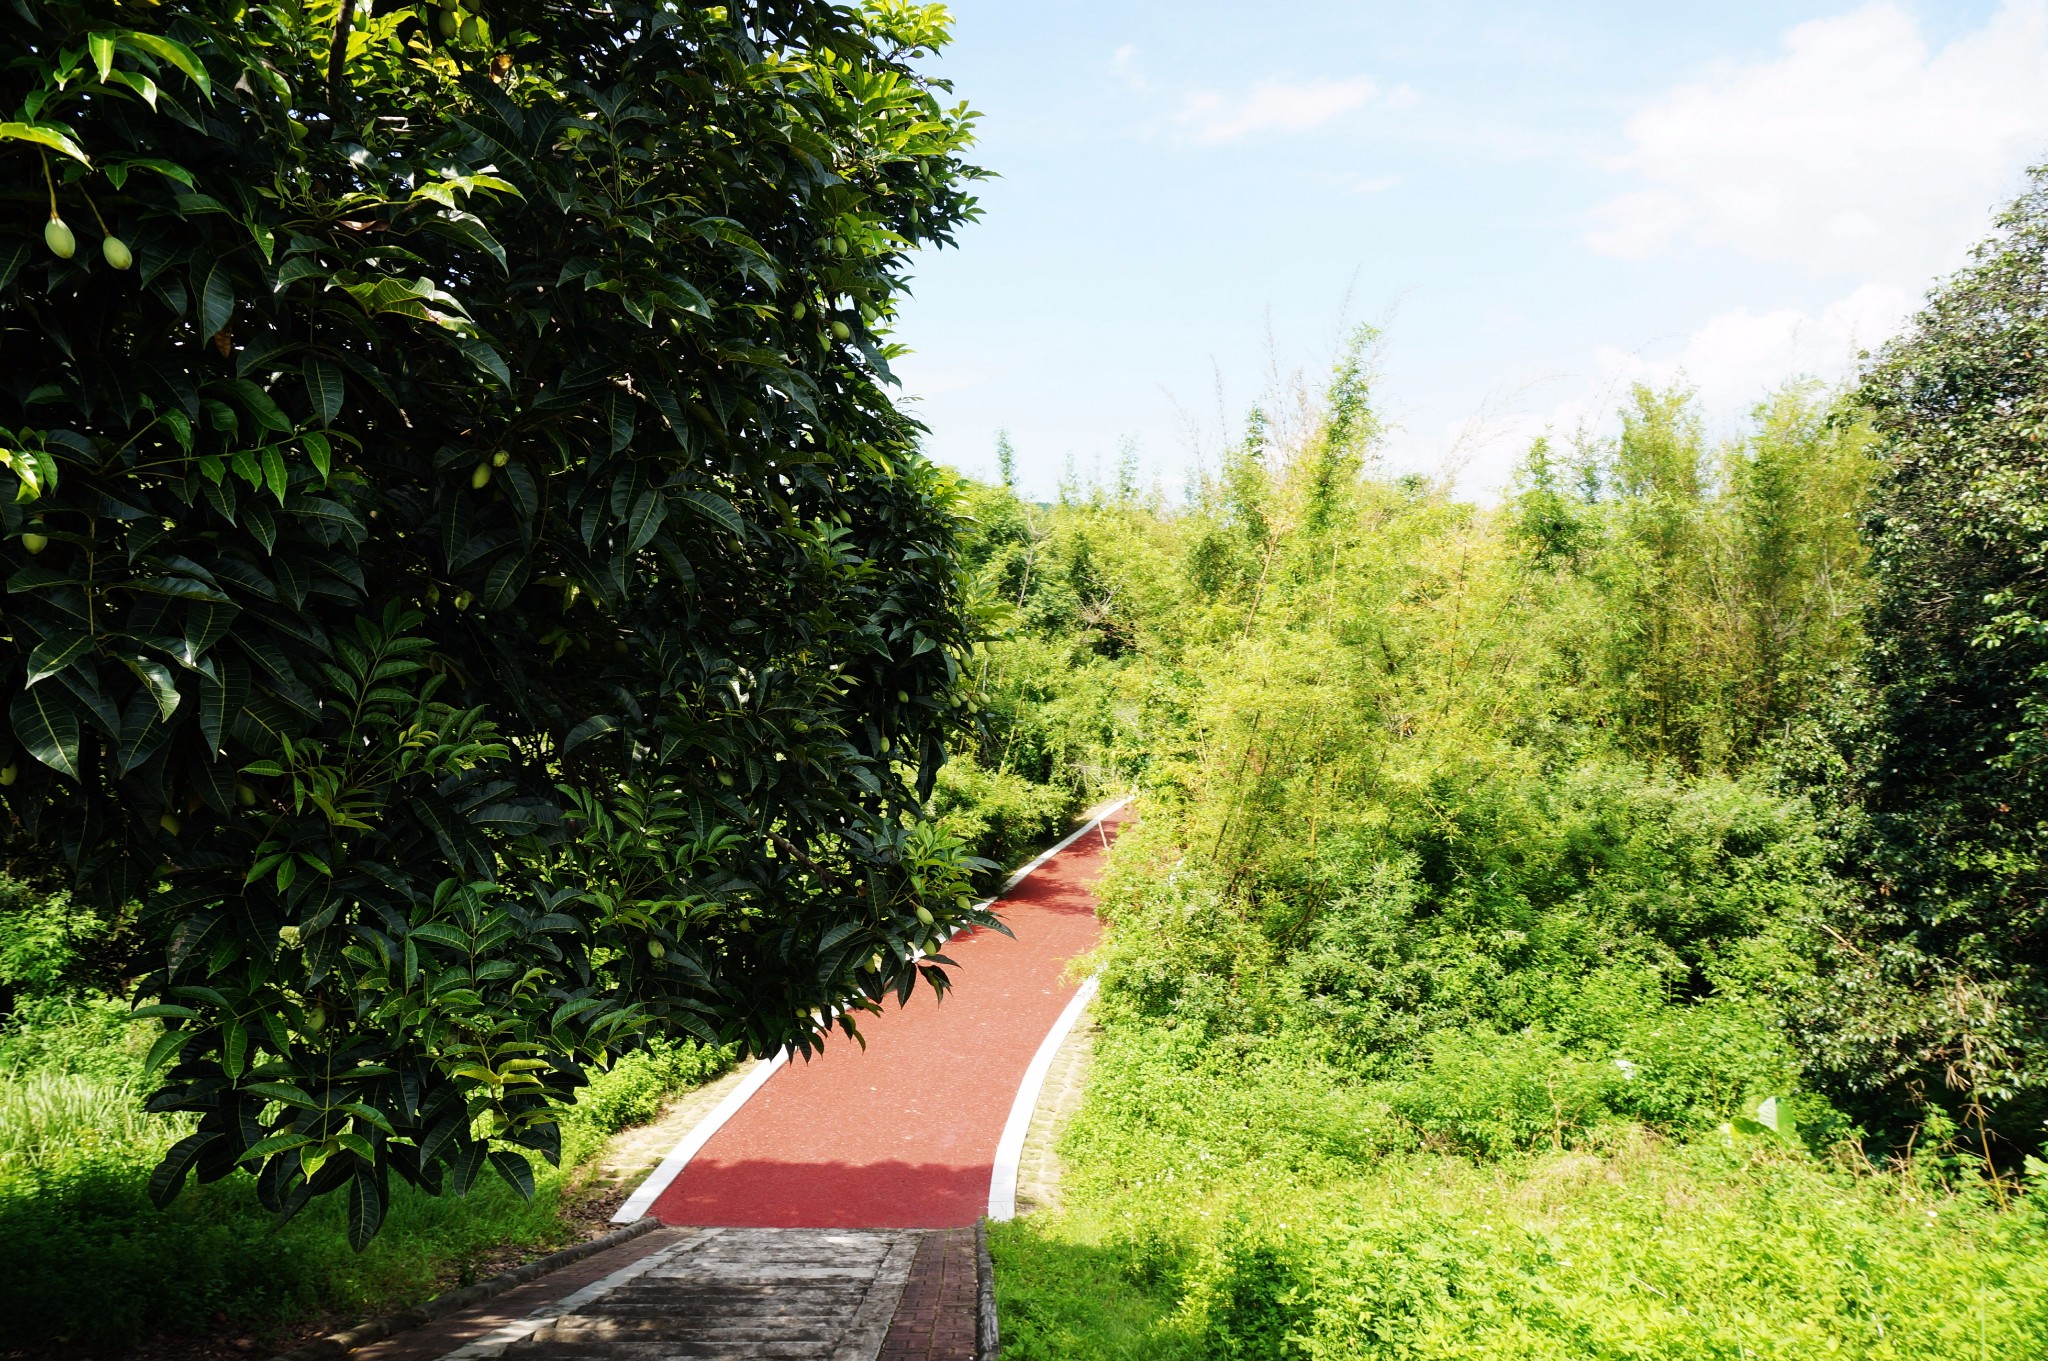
pixel 904 1135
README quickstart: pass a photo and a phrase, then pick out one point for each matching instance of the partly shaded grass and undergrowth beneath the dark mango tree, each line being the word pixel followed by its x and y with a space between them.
pixel 95 1266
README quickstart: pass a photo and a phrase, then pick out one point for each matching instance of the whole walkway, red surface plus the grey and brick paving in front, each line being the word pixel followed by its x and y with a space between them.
pixel 833 1217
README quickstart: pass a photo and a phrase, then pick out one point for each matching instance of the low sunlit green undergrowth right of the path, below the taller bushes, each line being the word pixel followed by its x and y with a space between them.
pixel 1277 1211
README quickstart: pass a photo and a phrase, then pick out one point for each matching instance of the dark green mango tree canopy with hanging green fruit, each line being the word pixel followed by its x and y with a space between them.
pixel 468 584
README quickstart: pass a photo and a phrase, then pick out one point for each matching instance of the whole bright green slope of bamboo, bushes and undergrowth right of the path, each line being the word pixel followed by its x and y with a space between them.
pixel 1469 973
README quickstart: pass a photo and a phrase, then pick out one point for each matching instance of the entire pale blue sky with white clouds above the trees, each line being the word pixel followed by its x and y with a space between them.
pixel 1537 204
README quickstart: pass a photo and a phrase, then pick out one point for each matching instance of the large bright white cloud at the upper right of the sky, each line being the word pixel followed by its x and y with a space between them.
pixel 1859 150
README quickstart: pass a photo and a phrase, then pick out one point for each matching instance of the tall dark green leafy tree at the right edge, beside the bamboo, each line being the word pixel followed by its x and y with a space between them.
pixel 1936 987
